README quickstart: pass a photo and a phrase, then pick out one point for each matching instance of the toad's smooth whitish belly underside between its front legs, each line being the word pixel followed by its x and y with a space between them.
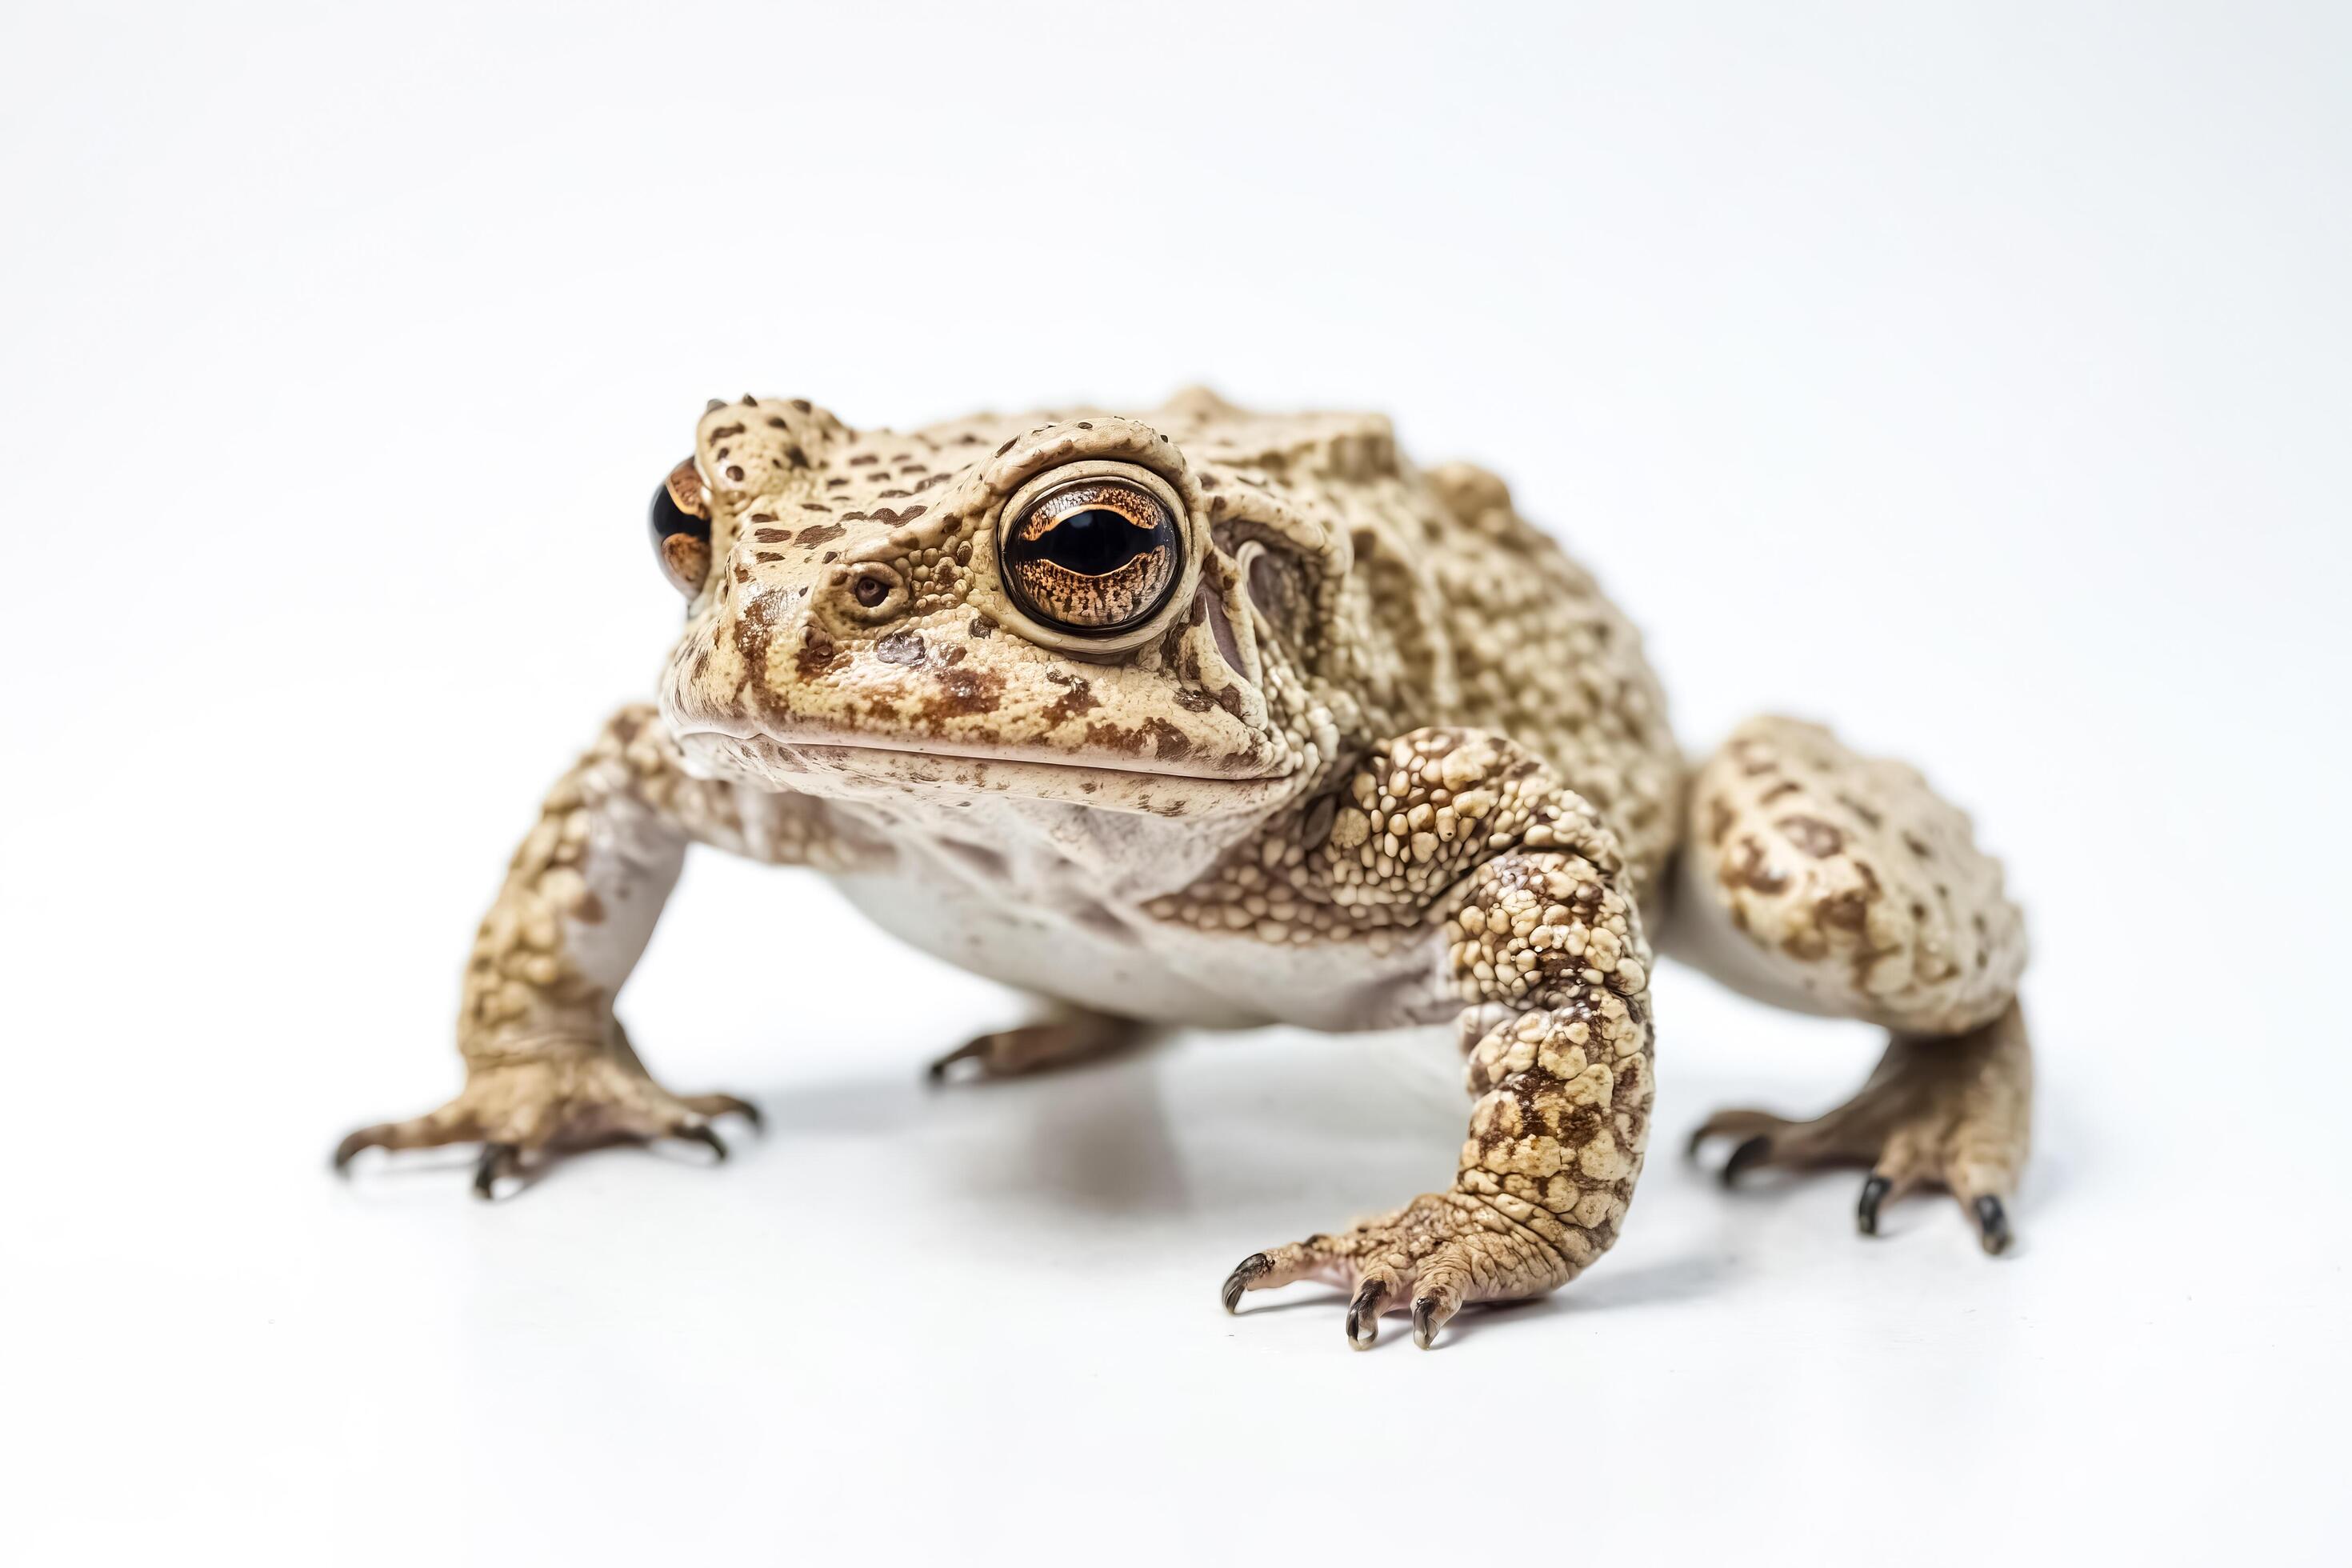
pixel 1137 967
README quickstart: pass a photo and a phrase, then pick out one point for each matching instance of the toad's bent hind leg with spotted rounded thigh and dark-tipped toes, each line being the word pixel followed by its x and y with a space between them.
pixel 1843 885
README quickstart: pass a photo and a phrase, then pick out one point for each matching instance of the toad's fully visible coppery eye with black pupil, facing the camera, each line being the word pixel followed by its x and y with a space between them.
pixel 1093 556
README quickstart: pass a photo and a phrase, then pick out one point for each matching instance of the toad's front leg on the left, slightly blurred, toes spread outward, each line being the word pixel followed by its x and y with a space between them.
pixel 547 1061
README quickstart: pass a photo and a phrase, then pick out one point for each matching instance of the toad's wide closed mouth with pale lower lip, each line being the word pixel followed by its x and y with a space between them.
pixel 965 777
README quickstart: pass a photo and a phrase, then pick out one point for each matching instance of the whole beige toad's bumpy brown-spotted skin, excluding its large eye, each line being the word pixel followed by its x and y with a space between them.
pixel 1384 756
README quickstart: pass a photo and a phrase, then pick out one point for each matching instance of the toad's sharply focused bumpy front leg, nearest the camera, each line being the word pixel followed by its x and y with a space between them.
pixel 1523 887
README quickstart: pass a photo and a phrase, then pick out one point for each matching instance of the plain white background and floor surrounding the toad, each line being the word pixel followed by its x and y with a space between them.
pixel 1970 375
